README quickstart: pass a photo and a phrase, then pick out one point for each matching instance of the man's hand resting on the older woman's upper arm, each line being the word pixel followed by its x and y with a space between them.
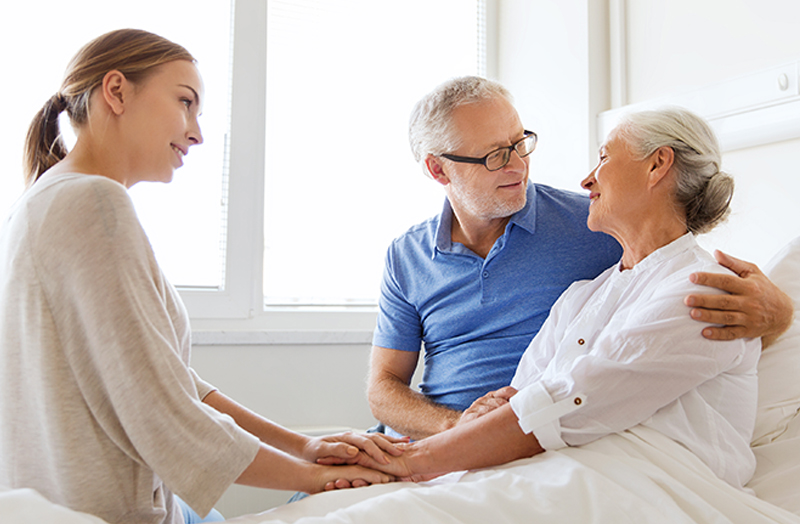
pixel 755 307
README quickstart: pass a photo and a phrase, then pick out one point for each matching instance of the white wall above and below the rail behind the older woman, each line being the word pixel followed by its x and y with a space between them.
pixel 681 45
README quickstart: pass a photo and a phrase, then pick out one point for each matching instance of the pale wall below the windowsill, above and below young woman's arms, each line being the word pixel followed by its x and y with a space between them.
pixel 297 386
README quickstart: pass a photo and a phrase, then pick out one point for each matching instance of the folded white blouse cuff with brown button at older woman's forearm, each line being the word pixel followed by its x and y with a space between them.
pixel 538 414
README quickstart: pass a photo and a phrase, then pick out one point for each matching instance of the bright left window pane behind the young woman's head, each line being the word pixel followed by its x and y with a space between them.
pixel 184 220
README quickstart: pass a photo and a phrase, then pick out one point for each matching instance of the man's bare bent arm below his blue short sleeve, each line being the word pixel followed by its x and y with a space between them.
pixel 395 404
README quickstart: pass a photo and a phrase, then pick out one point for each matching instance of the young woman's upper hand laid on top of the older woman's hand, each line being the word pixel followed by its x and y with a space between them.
pixel 345 448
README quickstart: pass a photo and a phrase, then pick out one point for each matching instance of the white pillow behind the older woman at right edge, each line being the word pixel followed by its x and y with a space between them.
pixel 779 367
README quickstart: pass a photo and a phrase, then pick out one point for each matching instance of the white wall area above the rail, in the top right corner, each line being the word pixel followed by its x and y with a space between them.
pixel 684 44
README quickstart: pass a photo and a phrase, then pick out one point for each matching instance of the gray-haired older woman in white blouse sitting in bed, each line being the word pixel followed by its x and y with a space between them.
pixel 620 350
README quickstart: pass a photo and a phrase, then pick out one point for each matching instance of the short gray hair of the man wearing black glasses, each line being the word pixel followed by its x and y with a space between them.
pixel 430 129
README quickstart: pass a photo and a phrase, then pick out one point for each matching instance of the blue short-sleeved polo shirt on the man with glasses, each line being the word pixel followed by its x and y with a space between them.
pixel 476 316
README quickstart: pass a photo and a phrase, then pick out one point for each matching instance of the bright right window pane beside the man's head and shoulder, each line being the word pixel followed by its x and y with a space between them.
pixel 340 183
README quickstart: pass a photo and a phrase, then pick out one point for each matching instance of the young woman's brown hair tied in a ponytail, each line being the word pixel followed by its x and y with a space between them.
pixel 133 52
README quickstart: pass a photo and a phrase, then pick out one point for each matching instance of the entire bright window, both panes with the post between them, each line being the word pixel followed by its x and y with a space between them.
pixel 320 173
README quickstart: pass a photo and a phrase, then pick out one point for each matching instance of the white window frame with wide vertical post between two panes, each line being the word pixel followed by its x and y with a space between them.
pixel 239 303
